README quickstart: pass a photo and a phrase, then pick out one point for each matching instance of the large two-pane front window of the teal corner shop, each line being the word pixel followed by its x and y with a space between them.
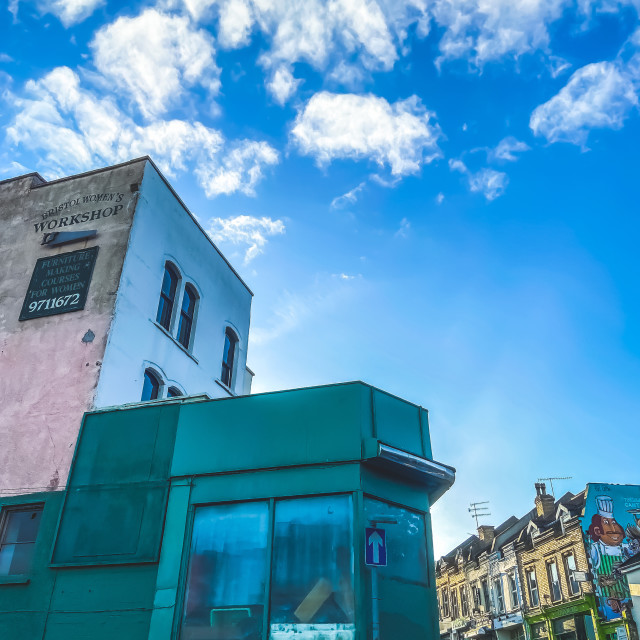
pixel 309 576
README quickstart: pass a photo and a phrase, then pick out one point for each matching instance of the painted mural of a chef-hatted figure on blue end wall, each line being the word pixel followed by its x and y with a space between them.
pixel 611 526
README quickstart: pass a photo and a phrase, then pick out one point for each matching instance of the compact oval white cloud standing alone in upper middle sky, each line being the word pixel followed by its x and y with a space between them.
pixel 401 135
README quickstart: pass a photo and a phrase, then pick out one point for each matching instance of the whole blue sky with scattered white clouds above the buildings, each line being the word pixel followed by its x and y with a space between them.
pixel 438 197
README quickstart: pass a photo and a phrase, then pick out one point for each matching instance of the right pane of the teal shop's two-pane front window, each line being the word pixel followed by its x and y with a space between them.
pixel 312 585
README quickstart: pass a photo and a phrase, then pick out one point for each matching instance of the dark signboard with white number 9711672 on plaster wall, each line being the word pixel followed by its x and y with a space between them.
pixel 59 284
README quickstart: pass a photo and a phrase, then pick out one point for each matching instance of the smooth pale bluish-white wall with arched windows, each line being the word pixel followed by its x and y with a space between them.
pixel 163 230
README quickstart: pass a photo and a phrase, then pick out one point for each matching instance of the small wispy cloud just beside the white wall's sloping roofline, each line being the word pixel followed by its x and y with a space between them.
pixel 245 230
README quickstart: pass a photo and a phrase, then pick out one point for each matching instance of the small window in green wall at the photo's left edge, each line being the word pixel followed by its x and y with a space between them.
pixel 18 533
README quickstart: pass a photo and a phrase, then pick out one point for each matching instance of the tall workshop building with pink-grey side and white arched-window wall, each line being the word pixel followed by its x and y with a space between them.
pixel 112 294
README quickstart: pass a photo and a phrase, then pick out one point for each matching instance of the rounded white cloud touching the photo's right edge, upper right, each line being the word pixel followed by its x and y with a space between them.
pixel 599 95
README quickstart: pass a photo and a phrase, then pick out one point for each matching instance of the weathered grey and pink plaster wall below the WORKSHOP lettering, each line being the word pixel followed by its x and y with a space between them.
pixel 48 375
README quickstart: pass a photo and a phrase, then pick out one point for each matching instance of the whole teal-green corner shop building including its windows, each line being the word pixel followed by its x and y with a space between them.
pixel 294 515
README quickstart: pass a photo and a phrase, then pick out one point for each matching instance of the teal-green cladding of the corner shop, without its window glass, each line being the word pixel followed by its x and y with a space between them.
pixel 112 548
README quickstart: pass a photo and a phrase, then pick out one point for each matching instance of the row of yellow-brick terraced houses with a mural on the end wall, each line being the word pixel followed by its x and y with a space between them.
pixel 551 575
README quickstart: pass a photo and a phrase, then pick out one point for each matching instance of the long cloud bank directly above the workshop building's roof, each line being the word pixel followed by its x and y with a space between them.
pixel 73 130
